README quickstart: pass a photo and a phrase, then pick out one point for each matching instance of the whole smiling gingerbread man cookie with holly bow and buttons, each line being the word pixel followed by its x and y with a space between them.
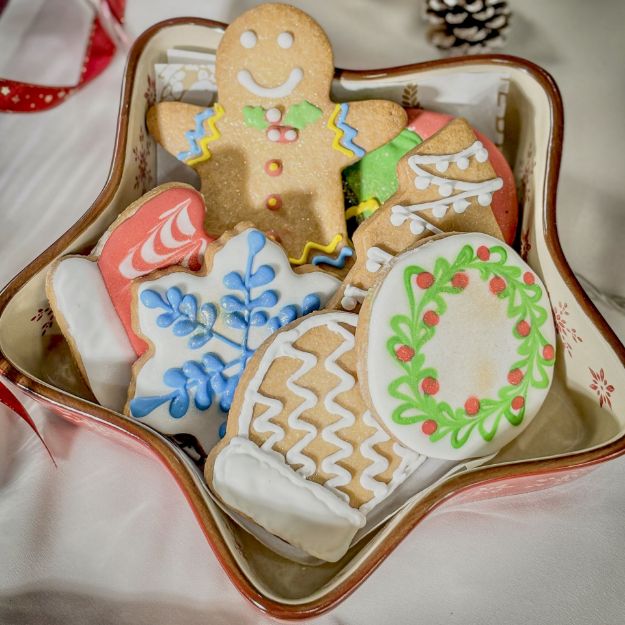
pixel 272 149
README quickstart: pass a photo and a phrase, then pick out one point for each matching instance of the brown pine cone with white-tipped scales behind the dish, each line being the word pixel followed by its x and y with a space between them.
pixel 467 26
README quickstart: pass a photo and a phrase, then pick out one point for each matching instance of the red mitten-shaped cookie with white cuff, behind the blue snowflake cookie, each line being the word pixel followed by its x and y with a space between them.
pixel 90 295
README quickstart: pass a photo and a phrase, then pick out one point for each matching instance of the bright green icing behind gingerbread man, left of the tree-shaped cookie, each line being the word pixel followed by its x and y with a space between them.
pixel 375 174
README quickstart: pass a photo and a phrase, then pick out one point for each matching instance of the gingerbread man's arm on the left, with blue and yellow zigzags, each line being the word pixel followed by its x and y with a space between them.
pixel 182 129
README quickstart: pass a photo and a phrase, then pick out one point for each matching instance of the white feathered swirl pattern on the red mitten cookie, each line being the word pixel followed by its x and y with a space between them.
pixel 178 216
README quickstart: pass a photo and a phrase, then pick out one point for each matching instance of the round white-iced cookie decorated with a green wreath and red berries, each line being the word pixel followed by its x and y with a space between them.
pixel 456 346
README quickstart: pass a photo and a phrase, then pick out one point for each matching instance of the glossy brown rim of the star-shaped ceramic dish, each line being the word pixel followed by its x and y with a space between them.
pixel 74 407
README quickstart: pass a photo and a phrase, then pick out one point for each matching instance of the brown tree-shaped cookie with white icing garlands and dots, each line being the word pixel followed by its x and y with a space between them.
pixel 445 184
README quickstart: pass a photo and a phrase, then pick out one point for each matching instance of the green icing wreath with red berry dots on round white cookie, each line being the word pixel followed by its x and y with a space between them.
pixel 417 387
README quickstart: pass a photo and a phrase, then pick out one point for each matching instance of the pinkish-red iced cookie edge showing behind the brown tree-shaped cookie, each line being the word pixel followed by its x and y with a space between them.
pixel 504 205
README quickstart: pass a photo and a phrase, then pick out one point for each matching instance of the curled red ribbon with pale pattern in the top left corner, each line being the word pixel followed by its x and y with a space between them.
pixel 22 97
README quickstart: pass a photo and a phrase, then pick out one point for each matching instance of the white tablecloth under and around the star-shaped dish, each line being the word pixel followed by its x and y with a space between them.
pixel 108 538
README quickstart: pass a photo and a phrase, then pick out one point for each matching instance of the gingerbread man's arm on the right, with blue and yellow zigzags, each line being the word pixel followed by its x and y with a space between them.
pixel 376 122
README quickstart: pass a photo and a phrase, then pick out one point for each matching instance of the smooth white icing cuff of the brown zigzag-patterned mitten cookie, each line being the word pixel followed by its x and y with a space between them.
pixel 262 486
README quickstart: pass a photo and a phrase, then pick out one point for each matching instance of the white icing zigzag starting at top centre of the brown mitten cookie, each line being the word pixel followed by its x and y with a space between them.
pixel 347 419
